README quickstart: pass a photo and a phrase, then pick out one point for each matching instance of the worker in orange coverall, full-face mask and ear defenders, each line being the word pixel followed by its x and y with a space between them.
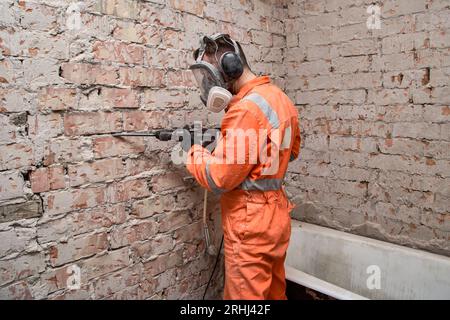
pixel 255 209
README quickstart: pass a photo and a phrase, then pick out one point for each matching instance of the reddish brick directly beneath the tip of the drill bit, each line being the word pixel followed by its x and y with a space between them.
pixel 110 146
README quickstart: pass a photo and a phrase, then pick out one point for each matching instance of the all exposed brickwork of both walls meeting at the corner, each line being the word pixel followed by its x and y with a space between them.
pixel 374 110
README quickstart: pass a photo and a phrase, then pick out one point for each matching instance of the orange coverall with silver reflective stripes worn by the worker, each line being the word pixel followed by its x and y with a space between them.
pixel 255 209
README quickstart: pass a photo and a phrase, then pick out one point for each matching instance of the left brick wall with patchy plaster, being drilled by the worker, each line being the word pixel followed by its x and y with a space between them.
pixel 73 196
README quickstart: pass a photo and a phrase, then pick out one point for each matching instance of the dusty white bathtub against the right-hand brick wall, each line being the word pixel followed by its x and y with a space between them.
pixel 347 266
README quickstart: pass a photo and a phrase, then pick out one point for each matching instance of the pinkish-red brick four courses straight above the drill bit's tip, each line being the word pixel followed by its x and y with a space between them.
pixel 118 52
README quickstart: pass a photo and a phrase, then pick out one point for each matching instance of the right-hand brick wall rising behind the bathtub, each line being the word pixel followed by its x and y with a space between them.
pixel 375 117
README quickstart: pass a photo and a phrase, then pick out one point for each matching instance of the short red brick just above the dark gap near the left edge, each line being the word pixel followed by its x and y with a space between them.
pixel 44 179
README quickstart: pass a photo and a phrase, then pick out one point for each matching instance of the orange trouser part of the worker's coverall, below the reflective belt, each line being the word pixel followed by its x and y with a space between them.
pixel 256 237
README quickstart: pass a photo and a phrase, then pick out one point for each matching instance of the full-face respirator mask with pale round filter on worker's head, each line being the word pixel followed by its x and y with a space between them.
pixel 214 82
